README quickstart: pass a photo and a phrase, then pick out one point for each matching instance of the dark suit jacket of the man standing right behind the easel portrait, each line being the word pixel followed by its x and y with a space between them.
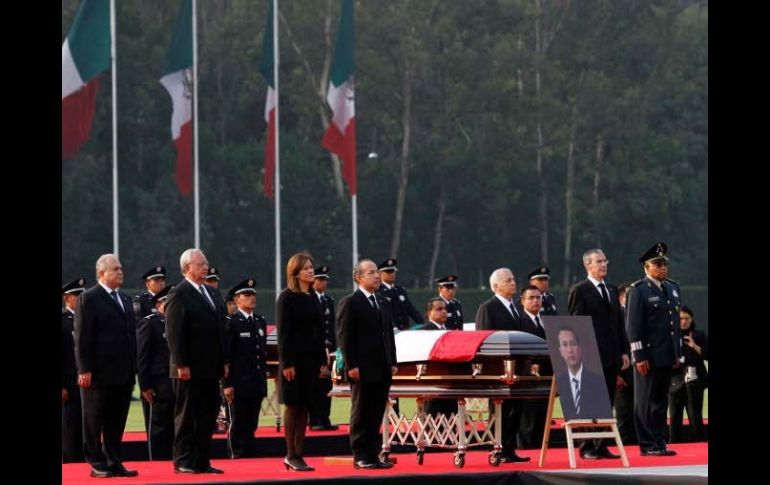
pixel 609 327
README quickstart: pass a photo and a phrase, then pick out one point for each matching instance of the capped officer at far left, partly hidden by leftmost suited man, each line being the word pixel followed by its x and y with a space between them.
pixel 71 409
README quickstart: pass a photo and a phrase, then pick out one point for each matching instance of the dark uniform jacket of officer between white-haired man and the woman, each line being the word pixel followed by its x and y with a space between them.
pixel 247 348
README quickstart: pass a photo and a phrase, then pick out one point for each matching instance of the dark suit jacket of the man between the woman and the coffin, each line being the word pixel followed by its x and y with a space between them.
pixel 366 336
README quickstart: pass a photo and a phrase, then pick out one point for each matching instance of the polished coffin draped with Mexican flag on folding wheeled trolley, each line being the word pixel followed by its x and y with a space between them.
pixel 457 364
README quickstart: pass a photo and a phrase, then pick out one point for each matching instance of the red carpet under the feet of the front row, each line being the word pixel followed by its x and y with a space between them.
pixel 434 463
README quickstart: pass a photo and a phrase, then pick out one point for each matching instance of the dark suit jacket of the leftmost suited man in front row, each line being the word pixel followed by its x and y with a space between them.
pixel 105 337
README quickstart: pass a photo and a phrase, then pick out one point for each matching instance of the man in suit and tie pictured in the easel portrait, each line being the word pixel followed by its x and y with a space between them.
pixel 581 391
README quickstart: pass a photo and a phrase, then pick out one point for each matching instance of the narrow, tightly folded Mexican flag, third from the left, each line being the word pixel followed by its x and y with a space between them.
pixel 267 68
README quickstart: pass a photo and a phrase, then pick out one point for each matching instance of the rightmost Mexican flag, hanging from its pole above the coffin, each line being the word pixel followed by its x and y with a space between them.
pixel 340 136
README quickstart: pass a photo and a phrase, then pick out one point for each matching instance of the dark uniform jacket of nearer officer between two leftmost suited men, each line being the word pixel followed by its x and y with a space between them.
pixel 152 354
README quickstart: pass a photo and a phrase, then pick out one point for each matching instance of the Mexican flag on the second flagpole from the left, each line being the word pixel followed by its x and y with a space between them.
pixel 177 79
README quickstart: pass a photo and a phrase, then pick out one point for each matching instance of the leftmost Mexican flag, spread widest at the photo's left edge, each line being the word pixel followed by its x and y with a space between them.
pixel 85 54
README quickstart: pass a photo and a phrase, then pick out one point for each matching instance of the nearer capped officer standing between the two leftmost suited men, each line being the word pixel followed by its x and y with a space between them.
pixel 152 368
